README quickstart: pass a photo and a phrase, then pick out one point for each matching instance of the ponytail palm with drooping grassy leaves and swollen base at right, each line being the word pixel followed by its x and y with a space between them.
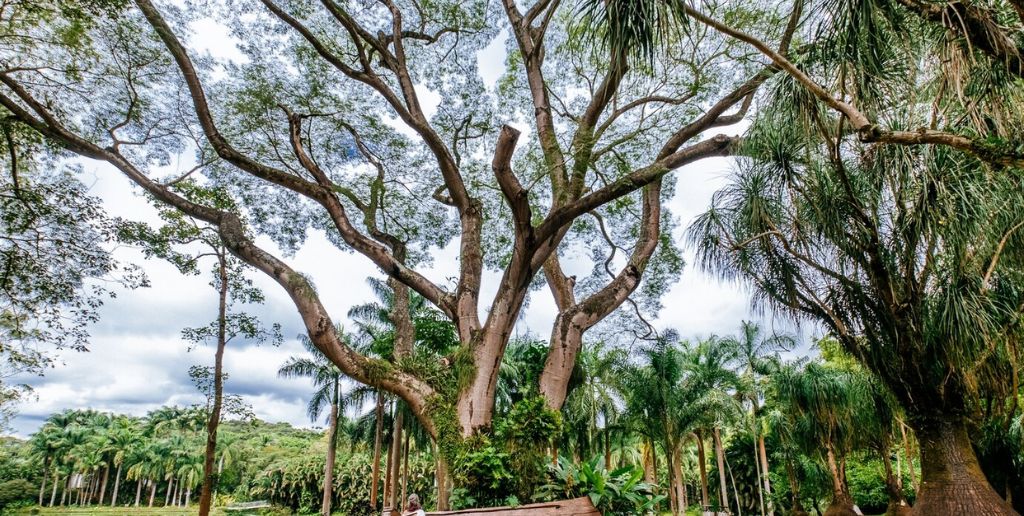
pixel 910 255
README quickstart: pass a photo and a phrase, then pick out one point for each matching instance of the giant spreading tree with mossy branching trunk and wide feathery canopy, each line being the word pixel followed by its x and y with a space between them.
pixel 303 134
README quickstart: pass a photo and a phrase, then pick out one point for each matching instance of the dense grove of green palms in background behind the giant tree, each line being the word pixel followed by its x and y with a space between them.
pixel 715 423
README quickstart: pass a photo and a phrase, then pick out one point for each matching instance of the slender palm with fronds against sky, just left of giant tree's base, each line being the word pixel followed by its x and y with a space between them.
pixel 327 380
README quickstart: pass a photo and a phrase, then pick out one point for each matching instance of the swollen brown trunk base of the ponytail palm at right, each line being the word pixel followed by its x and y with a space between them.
pixel 952 481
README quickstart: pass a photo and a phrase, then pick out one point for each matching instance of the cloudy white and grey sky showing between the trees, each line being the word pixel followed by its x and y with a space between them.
pixel 138 361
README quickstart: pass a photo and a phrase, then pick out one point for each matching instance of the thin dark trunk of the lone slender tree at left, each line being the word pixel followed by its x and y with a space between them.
pixel 206 496
